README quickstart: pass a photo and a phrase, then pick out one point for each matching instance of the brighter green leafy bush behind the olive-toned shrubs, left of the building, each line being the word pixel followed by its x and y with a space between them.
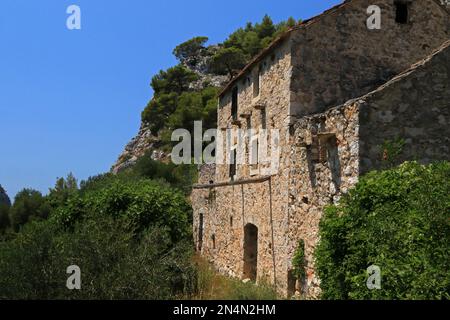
pixel 142 203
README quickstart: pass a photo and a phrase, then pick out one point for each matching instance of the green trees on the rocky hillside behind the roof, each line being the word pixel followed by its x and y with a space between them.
pixel 174 105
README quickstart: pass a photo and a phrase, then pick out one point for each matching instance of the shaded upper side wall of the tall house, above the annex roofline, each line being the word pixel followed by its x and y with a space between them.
pixel 337 58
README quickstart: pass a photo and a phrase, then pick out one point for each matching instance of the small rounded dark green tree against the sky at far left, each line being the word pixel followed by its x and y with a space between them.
pixel 28 204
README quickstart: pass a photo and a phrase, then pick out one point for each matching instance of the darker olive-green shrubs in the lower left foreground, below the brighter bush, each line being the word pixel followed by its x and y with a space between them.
pixel 113 263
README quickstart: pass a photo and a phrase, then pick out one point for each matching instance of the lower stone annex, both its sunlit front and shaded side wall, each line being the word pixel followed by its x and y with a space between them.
pixel 414 106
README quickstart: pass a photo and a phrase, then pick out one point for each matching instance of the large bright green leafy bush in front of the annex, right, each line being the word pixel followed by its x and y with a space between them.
pixel 398 220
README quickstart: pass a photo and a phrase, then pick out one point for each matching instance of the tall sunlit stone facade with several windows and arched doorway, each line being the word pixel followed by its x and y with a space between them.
pixel 264 203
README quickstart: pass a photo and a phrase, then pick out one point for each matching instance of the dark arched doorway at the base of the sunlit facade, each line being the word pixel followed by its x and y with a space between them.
pixel 250 251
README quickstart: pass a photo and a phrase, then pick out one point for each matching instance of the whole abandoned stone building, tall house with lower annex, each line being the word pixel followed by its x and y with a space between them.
pixel 336 91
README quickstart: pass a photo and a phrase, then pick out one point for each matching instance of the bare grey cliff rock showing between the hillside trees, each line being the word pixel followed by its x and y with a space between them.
pixel 145 141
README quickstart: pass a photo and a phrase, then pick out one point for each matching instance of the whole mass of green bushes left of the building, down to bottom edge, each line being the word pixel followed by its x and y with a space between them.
pixel 131 237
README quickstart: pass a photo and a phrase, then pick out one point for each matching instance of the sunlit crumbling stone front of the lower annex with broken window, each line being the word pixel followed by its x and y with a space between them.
pixel 323 165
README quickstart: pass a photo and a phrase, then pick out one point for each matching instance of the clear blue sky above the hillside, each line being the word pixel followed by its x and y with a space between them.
pixel 71 100
